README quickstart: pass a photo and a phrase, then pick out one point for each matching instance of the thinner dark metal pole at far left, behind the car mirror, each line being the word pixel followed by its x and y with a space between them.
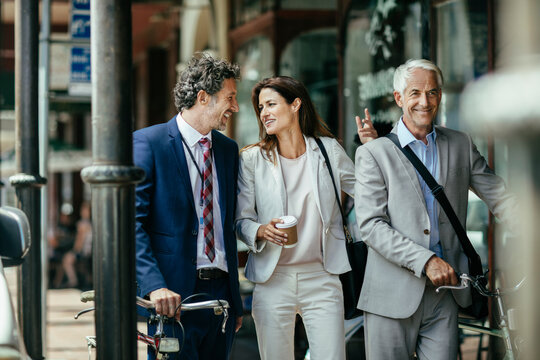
pixel 27 181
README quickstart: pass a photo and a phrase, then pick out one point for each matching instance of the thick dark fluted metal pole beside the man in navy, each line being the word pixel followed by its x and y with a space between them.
pixel 113 177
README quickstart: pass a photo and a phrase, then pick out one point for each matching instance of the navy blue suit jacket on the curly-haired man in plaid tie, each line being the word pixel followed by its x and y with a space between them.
pixel 166 219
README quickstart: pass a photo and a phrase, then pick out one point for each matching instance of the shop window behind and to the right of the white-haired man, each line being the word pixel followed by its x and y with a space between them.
pixel 462 54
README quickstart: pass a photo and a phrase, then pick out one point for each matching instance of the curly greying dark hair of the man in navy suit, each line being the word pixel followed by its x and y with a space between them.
pixel 203 72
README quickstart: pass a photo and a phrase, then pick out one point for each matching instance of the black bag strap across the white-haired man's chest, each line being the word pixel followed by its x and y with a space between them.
pixel 438 191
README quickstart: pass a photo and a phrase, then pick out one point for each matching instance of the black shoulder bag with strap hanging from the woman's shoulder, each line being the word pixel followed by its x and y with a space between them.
pixel 351 281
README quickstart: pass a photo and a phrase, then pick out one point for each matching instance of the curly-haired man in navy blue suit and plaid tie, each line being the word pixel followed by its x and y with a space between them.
pixel 185 243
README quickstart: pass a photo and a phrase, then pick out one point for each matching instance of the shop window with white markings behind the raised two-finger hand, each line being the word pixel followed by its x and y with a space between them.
pixel 379 37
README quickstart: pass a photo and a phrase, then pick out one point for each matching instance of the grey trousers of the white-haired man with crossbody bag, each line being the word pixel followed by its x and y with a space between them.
pixel 431 332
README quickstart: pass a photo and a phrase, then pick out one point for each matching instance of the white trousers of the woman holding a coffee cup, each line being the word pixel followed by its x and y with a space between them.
pixel 307 290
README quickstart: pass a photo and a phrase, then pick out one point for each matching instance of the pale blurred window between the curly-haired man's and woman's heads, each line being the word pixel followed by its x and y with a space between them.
pixel 256 59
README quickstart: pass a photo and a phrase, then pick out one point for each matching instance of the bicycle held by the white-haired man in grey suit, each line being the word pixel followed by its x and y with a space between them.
pixel 506 321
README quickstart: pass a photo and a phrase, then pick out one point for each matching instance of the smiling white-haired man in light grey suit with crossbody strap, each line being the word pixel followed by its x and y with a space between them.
pixel 412 245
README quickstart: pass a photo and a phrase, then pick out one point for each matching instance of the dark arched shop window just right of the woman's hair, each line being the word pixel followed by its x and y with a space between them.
pixel 312 59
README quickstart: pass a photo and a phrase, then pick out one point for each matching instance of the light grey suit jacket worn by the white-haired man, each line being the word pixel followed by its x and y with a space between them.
pixel 393 219
